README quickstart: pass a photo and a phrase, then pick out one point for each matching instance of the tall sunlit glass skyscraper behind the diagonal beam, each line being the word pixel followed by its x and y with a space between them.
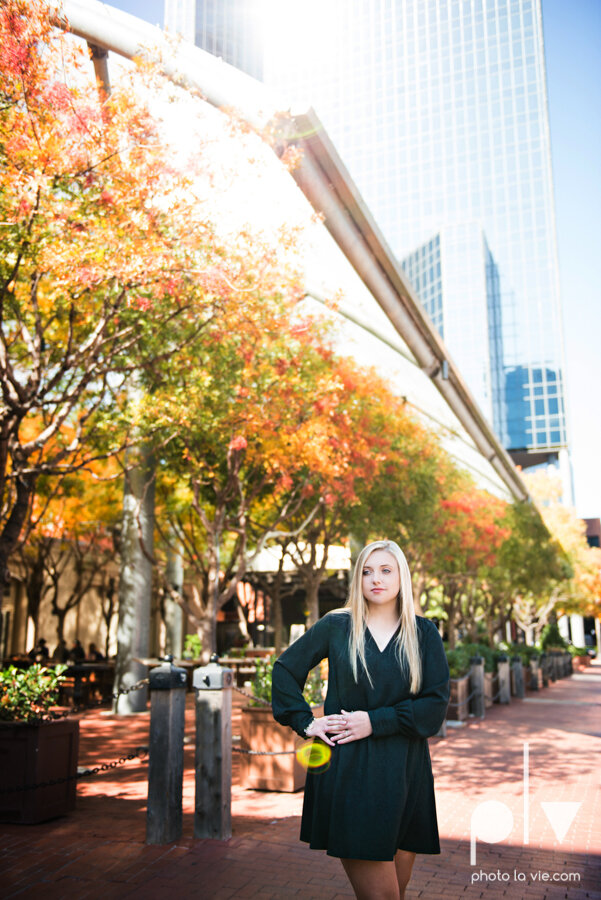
pixel 439 110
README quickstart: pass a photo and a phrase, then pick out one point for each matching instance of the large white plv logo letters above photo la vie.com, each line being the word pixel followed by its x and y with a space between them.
pixel 492 821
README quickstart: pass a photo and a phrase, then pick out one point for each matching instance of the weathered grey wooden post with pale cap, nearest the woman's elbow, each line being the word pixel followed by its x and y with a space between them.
pixel 213 801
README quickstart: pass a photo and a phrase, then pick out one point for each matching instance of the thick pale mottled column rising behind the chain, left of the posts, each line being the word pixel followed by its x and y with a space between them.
pixel 135 587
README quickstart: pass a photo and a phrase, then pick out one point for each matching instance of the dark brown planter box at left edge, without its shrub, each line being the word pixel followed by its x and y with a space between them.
pixel 34 754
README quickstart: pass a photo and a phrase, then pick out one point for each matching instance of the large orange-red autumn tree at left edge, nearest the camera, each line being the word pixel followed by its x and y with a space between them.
pixel 105 253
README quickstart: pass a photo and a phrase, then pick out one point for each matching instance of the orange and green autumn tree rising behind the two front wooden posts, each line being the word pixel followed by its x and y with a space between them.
pixel 240 442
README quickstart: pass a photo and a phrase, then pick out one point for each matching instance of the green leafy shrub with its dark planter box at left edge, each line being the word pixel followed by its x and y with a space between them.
pixel 34 748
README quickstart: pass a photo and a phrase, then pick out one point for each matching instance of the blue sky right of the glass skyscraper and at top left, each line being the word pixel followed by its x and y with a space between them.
pixel 572 31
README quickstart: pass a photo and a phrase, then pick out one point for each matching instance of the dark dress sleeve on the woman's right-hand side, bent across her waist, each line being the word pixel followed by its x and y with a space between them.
pixel 420 716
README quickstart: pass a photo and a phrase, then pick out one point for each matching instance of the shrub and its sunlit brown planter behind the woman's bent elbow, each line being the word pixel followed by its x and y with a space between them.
pixel 260 731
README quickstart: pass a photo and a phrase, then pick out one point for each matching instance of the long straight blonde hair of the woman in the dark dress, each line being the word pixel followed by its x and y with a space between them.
pixel 407 646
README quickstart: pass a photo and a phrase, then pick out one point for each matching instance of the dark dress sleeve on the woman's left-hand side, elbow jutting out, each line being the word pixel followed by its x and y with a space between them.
pixel 290 673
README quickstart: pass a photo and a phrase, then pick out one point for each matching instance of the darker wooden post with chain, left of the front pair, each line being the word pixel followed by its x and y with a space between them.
pixel 166 754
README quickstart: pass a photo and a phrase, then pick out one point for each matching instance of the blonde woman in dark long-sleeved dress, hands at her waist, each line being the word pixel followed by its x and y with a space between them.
pixel 388 691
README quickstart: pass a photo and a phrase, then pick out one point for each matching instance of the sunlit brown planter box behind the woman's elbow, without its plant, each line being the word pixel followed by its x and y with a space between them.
pixel 260 731
